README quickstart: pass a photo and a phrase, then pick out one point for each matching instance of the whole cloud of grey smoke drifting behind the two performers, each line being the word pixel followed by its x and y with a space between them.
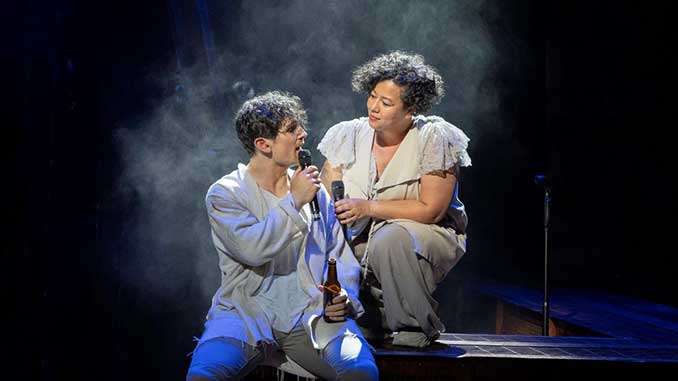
pixel 173 153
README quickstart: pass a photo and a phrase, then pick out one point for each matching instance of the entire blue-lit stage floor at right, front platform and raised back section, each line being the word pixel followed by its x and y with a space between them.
pixel 590 335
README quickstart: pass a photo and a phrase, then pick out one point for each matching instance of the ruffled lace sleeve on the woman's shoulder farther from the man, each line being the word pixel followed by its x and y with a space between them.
pixel 443 146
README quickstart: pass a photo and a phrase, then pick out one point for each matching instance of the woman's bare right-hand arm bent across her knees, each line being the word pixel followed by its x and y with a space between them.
pixel 437 190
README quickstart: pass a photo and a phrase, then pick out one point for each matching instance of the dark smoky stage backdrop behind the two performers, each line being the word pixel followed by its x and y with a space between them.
pixel 123 120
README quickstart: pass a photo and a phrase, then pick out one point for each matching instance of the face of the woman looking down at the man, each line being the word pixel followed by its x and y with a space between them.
pixel 385 108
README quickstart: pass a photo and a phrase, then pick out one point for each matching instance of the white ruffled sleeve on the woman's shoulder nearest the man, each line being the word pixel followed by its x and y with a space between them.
pixel 338 144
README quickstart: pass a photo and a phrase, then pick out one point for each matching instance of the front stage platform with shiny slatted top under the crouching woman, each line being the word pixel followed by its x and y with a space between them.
pixel 482 357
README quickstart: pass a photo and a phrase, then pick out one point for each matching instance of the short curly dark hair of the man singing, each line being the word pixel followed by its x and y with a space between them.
pixel 264 116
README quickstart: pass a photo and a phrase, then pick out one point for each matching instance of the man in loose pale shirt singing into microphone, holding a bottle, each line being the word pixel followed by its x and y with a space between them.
pixel 272 257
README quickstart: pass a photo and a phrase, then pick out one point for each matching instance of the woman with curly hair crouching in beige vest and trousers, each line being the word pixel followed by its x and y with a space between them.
pixel 400 170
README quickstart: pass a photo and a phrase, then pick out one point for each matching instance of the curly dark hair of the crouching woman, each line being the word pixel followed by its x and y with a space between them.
pixel 422 84
